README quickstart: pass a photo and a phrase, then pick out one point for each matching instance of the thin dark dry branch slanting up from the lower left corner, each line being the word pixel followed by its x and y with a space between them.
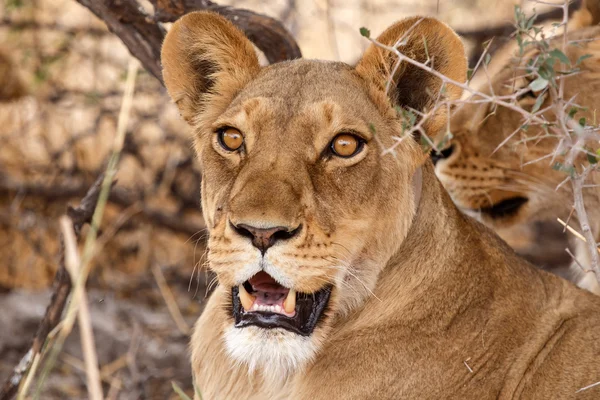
pixel 80 215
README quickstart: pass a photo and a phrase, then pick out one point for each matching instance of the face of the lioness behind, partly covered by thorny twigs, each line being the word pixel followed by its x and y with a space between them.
pixel 508 177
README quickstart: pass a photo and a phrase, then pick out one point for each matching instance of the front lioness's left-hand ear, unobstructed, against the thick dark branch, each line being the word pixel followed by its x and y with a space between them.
pixel 204 54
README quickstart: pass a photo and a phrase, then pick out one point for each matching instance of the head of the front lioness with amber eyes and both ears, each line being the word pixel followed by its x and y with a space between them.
pixel 302 209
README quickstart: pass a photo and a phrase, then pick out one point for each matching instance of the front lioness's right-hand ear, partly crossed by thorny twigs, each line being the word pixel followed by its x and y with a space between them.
pixel 427 41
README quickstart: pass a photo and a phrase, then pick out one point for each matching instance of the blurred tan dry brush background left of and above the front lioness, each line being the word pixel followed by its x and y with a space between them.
pixel 62 75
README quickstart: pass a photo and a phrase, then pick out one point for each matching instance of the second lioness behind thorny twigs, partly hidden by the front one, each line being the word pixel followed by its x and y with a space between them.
pixel 505 178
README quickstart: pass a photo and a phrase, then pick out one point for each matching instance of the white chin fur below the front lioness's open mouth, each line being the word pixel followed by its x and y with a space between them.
pixel 275 353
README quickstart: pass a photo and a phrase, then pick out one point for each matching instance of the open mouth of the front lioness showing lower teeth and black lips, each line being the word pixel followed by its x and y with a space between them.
pixel 262 302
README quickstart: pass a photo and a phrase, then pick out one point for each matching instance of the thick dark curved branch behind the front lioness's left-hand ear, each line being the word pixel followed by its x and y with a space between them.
pixel 143 34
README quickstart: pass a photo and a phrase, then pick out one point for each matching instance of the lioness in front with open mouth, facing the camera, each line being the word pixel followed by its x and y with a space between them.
pixel 344 274
